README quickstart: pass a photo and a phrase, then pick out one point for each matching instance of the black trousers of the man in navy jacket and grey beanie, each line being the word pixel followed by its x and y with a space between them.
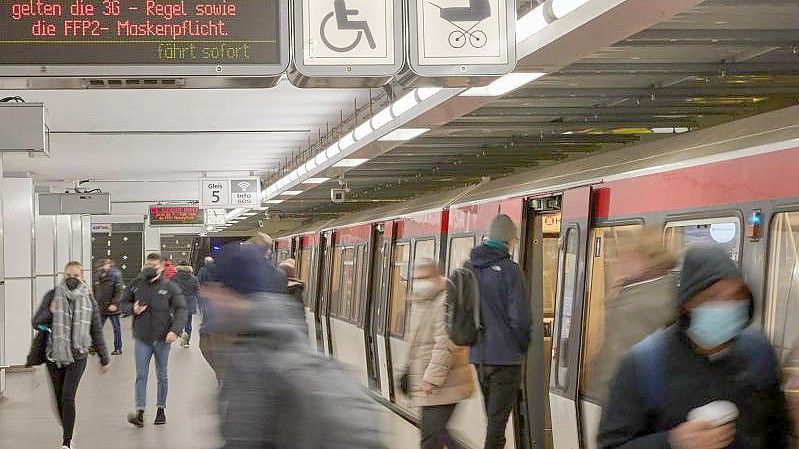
pixel 500 386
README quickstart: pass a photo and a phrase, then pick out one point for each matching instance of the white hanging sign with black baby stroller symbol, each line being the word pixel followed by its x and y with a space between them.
pixel 460 38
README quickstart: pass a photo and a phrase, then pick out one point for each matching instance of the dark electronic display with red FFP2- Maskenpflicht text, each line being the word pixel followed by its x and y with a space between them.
pixel 143 37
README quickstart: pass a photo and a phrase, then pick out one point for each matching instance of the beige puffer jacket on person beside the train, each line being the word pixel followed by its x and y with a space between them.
pixel 433 357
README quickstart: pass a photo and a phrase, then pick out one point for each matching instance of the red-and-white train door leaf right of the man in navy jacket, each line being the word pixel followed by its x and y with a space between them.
pixel 564 371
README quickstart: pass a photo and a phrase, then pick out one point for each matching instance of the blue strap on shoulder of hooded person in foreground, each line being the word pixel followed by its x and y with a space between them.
pixel 648 356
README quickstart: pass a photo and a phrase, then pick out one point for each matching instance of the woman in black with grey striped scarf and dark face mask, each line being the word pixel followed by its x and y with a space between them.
pixel 71 316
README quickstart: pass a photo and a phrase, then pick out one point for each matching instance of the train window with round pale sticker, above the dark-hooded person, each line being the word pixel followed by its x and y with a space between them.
pixel 724 232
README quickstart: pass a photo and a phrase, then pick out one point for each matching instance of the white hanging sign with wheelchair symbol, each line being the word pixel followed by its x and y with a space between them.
pixel 353 38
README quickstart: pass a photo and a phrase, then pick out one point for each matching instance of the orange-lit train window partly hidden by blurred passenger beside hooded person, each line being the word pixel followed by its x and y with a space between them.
pixel 607 273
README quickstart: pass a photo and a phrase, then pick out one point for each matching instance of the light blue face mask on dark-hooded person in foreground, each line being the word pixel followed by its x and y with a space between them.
pixel 717 322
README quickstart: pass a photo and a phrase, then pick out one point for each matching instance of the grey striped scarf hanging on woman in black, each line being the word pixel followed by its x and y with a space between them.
pixel 72 321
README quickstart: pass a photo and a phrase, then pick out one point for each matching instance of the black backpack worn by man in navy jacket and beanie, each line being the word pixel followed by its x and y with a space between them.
pixel 463 307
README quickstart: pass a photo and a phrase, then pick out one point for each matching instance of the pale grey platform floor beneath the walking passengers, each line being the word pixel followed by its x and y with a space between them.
pixel 28 419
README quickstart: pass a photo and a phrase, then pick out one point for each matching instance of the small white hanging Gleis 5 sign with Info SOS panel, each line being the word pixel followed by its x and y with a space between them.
pixel 230 193
